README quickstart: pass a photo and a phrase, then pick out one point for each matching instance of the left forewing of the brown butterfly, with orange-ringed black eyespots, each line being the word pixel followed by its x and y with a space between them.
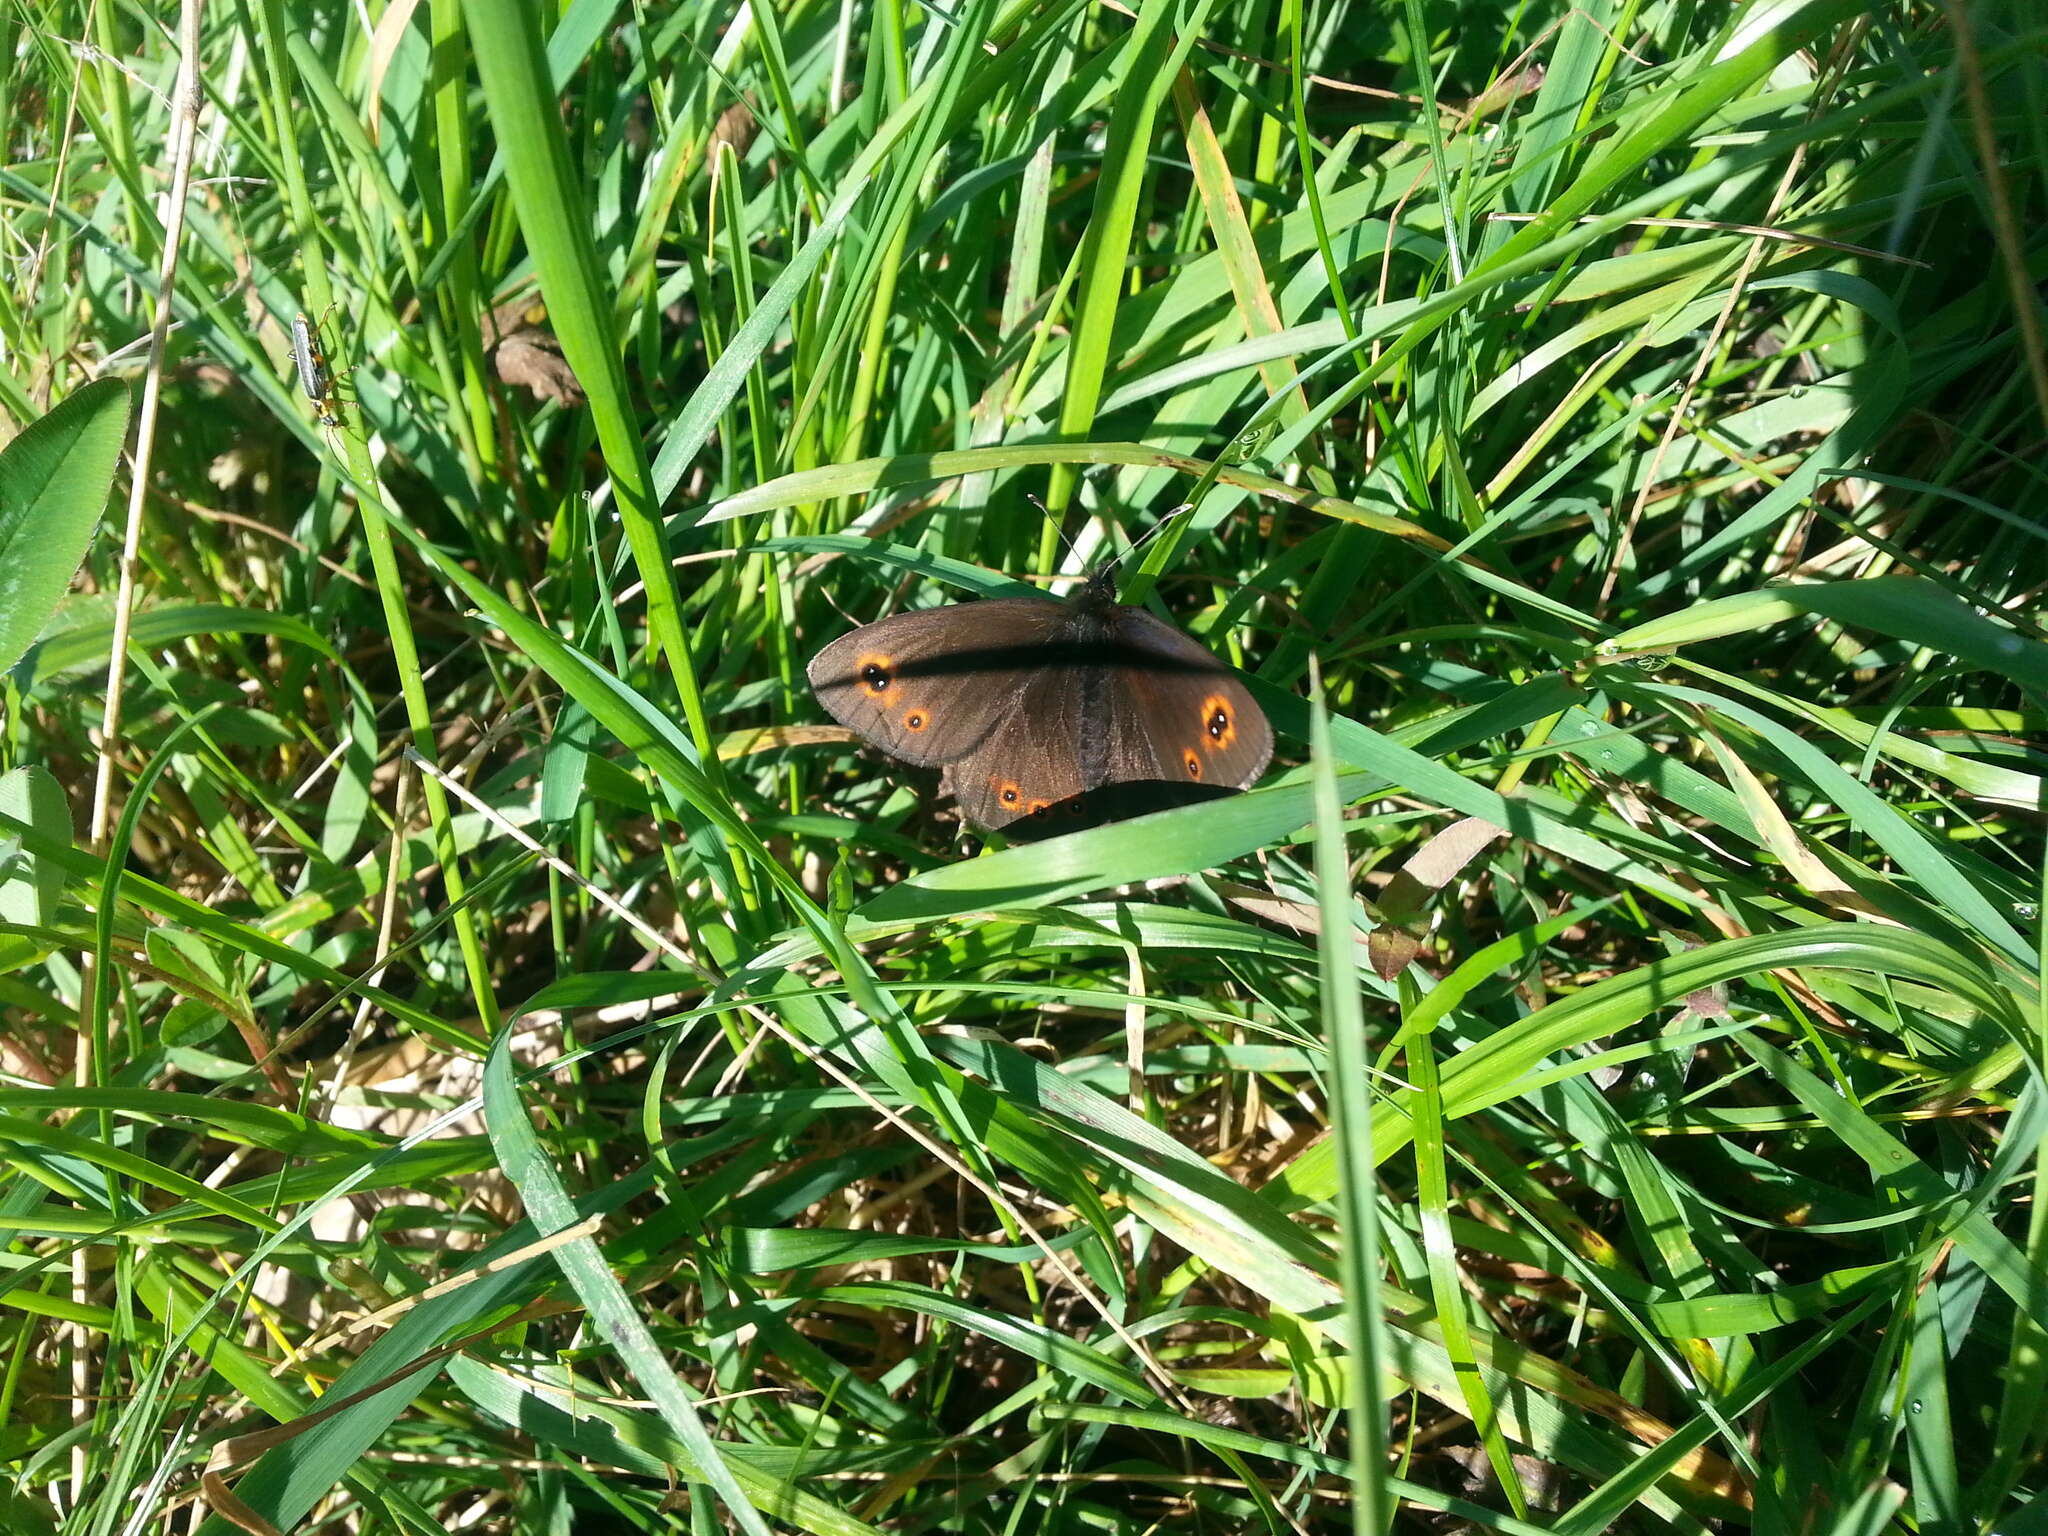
pixel 929 689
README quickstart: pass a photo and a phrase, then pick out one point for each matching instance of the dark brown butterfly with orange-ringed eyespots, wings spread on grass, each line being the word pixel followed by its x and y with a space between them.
pixel 1050 716
